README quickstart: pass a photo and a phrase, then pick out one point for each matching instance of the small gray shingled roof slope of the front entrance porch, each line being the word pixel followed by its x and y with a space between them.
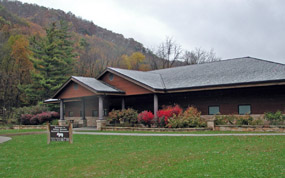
pixel 96 84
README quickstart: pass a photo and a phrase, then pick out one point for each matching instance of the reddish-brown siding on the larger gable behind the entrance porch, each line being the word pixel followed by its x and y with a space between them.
pixel 125 85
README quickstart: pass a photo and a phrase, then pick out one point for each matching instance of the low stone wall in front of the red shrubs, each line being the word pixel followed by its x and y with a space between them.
pixel 153 129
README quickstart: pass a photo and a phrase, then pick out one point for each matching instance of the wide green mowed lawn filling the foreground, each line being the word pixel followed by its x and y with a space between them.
pixel 130 156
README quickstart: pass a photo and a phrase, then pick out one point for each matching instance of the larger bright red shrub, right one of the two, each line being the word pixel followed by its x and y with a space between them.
pixel 164 114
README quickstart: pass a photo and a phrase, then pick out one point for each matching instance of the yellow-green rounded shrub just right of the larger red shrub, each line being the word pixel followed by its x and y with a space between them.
pixel 189 118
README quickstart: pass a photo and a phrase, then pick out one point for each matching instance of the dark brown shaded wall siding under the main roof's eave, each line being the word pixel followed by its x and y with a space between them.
pixel 261 99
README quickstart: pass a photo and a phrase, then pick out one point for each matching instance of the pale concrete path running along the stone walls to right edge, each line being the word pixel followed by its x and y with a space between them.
pixel 179 135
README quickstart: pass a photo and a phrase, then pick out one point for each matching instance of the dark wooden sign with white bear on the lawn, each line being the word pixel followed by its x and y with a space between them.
pixel 60 133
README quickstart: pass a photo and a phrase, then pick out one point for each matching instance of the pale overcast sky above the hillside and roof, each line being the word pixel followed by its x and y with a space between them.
pixel 233 28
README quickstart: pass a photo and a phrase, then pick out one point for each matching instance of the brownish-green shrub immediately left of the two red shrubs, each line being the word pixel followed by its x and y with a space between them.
pixel 126 115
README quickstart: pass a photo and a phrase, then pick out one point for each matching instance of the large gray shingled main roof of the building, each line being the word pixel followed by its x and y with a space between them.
pixel 225 72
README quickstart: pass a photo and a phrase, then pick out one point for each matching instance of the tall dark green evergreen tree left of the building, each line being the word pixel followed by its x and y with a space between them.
pixel 53 62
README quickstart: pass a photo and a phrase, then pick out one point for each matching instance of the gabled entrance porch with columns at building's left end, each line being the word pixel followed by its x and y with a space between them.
pixel 86 101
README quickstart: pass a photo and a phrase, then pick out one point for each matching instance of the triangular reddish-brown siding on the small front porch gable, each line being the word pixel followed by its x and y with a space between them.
pixel 70 92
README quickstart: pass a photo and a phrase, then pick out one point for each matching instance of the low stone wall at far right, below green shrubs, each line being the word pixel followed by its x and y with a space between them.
pixel 250 128
